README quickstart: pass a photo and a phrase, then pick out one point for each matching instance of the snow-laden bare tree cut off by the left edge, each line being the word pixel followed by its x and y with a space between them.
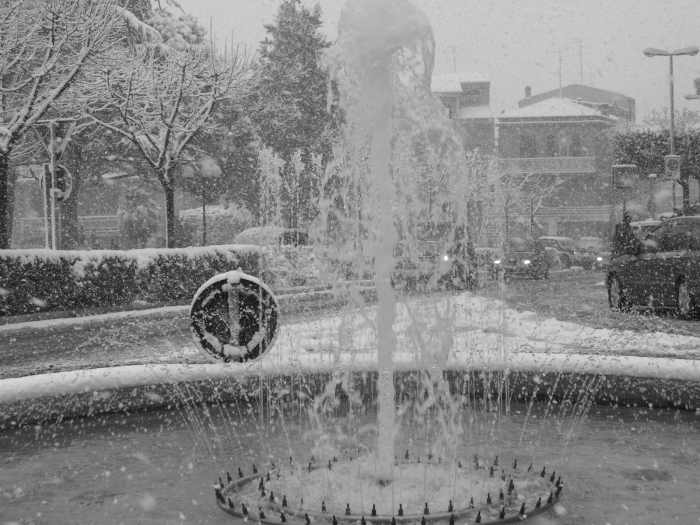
pixel 44 47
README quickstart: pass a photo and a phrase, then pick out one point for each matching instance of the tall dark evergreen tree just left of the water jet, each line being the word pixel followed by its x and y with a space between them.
pixel 291 111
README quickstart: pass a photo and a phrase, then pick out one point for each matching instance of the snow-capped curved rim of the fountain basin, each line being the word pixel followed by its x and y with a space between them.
pixel 57 384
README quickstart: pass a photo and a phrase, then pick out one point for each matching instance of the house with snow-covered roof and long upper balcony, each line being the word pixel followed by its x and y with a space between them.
pixel 565 139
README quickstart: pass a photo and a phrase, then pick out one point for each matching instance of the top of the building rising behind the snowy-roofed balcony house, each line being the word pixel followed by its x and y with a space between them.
pixel 608 103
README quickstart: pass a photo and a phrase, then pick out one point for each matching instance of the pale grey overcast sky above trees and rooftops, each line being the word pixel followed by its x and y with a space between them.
pixel 516 43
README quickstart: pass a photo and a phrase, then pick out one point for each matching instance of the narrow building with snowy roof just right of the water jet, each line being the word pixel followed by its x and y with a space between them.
pixel 467 101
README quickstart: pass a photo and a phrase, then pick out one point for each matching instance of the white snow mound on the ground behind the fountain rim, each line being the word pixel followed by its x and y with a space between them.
pixel 469 323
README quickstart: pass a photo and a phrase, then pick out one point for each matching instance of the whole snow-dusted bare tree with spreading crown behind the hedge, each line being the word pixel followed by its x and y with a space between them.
pixel 158 100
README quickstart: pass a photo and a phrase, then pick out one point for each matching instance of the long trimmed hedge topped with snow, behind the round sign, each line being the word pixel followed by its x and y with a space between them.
pixel 43 280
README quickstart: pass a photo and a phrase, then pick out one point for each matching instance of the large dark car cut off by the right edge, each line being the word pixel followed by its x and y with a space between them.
pixel 663 270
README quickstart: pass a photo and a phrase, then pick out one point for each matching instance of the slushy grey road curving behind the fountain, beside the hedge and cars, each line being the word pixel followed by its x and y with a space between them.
pixel 577 297
